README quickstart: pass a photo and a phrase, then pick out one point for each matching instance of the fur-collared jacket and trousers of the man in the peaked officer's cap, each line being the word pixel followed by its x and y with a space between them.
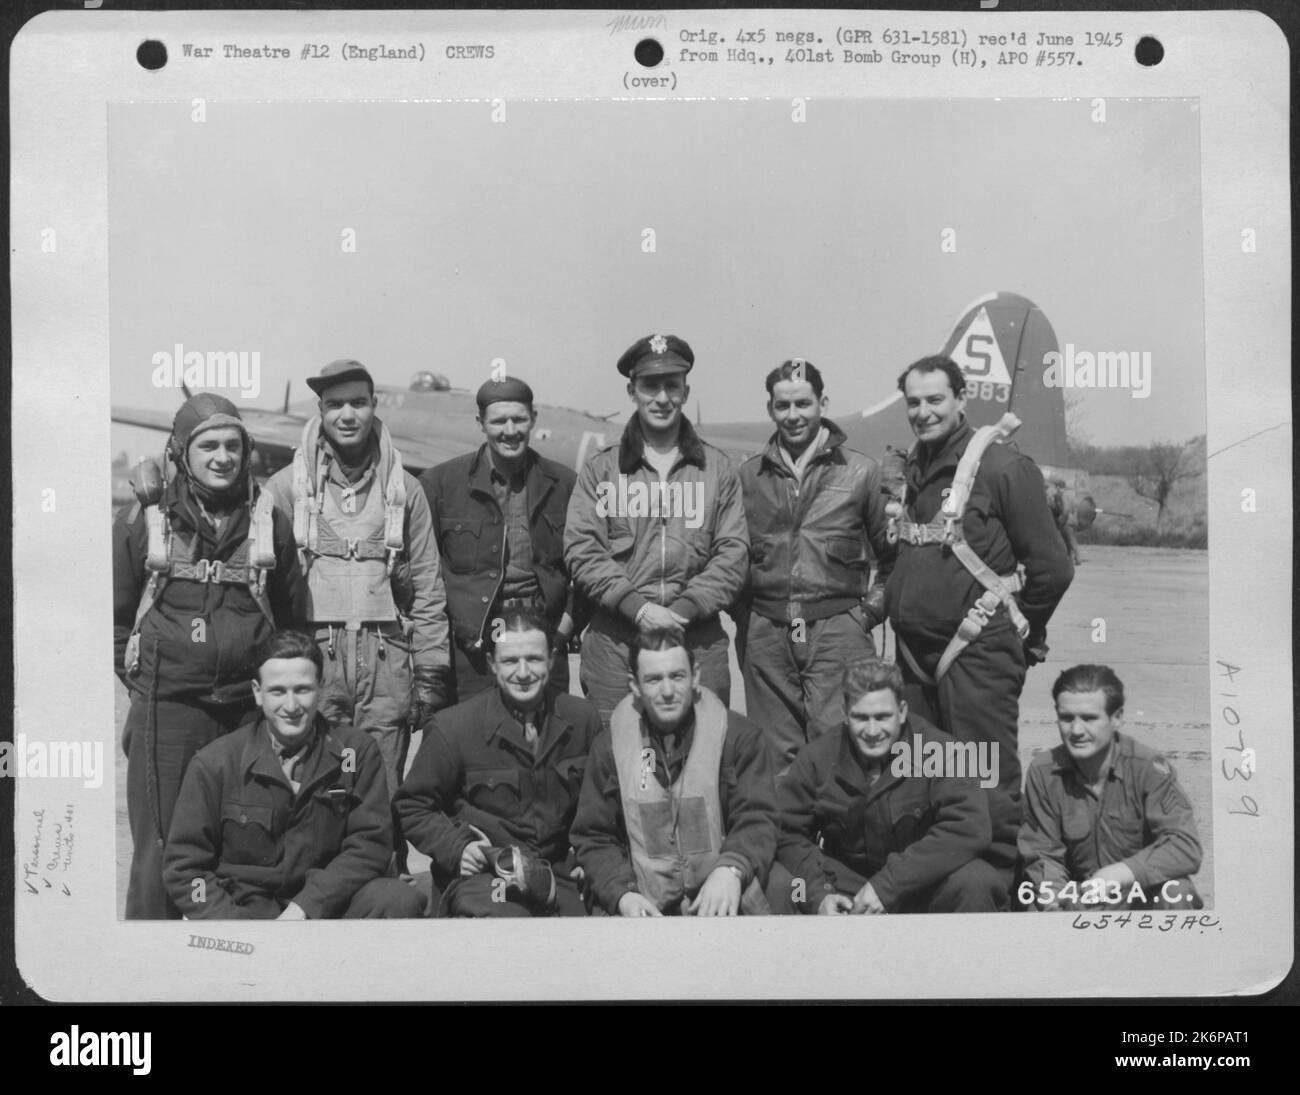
pixel 690 553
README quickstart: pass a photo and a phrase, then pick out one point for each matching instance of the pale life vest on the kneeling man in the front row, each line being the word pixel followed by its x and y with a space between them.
pixel 675 834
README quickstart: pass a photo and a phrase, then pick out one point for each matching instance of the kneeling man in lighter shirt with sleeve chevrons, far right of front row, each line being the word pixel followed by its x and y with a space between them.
pixel 1107 823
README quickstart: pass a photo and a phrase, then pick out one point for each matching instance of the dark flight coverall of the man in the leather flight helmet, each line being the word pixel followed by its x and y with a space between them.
pixel 196 673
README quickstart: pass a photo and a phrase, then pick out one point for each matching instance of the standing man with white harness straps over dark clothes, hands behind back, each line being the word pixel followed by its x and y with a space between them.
pixel 972 514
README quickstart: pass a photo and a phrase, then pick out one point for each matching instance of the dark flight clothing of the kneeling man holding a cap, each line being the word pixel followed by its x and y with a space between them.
pixel 475 771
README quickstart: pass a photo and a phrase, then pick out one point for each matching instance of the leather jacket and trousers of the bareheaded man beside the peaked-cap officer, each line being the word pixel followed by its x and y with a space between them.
pixel 811 603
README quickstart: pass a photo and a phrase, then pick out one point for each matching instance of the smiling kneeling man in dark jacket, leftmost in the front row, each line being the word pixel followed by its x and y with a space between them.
pixel 287 819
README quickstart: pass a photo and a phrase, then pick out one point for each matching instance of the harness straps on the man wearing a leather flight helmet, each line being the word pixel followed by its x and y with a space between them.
pixel 172 555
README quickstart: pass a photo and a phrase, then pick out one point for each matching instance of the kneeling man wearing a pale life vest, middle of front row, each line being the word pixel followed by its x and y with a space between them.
pixel 677 808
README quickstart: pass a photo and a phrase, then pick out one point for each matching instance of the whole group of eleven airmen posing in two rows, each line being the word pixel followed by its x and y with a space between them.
pixel 283 646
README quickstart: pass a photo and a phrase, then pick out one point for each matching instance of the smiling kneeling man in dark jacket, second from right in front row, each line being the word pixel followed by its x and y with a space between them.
pixel 902 829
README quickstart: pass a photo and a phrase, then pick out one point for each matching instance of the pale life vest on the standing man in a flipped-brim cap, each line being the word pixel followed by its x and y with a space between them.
pixel 349 556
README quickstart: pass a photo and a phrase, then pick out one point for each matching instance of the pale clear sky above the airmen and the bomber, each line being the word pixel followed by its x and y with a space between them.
pixel 523 240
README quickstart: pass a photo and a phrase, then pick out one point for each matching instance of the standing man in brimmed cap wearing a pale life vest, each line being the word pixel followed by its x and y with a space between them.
pixel 365 536
